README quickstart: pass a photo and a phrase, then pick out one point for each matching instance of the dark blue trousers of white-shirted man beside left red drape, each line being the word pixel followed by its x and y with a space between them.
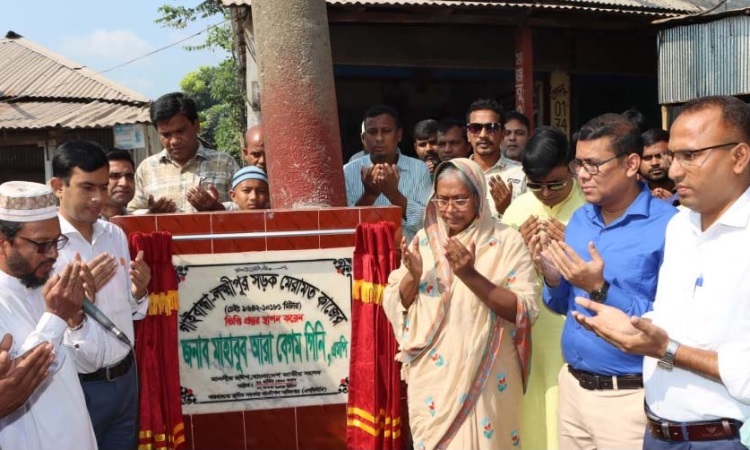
pixel 113 408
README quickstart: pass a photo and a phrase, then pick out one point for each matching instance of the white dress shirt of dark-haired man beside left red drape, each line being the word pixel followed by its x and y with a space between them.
pixel 114 299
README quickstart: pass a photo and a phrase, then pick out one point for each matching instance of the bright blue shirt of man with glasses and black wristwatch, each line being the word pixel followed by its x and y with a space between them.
pixel 632 248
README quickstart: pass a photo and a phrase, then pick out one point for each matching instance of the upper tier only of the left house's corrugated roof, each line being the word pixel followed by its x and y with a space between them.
pixel 27 69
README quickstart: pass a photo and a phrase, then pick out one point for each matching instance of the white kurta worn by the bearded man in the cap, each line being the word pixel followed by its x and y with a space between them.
pixel 55 417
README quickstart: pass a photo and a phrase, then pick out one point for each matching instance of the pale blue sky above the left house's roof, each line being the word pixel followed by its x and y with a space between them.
pixel 101 34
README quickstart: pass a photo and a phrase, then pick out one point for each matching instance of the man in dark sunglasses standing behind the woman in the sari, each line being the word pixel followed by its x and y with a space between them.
pixel 505 177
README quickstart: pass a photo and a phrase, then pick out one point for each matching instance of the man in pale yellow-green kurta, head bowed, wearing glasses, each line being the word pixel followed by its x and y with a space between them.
pixel 541 215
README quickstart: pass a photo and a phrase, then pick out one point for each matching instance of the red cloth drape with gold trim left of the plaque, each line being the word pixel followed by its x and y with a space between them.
pixel 161 425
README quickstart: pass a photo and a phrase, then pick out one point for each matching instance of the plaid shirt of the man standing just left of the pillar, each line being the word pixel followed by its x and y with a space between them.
pixel 159 176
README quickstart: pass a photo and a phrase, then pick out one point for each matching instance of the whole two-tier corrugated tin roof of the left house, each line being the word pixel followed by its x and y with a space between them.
pixel 40 89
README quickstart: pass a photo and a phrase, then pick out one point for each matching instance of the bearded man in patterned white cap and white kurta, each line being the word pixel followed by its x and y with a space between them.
pixel 36 309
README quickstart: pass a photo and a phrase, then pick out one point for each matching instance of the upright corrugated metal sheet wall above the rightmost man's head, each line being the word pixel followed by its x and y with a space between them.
pixel 704 59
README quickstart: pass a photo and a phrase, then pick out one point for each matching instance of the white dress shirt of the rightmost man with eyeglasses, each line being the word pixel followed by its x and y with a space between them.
pixel 703 301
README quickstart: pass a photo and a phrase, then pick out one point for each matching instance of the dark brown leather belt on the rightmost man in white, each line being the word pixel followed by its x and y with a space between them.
pixel 713 430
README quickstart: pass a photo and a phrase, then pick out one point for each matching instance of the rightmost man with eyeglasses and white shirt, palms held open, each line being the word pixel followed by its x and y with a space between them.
pixel 697 339
